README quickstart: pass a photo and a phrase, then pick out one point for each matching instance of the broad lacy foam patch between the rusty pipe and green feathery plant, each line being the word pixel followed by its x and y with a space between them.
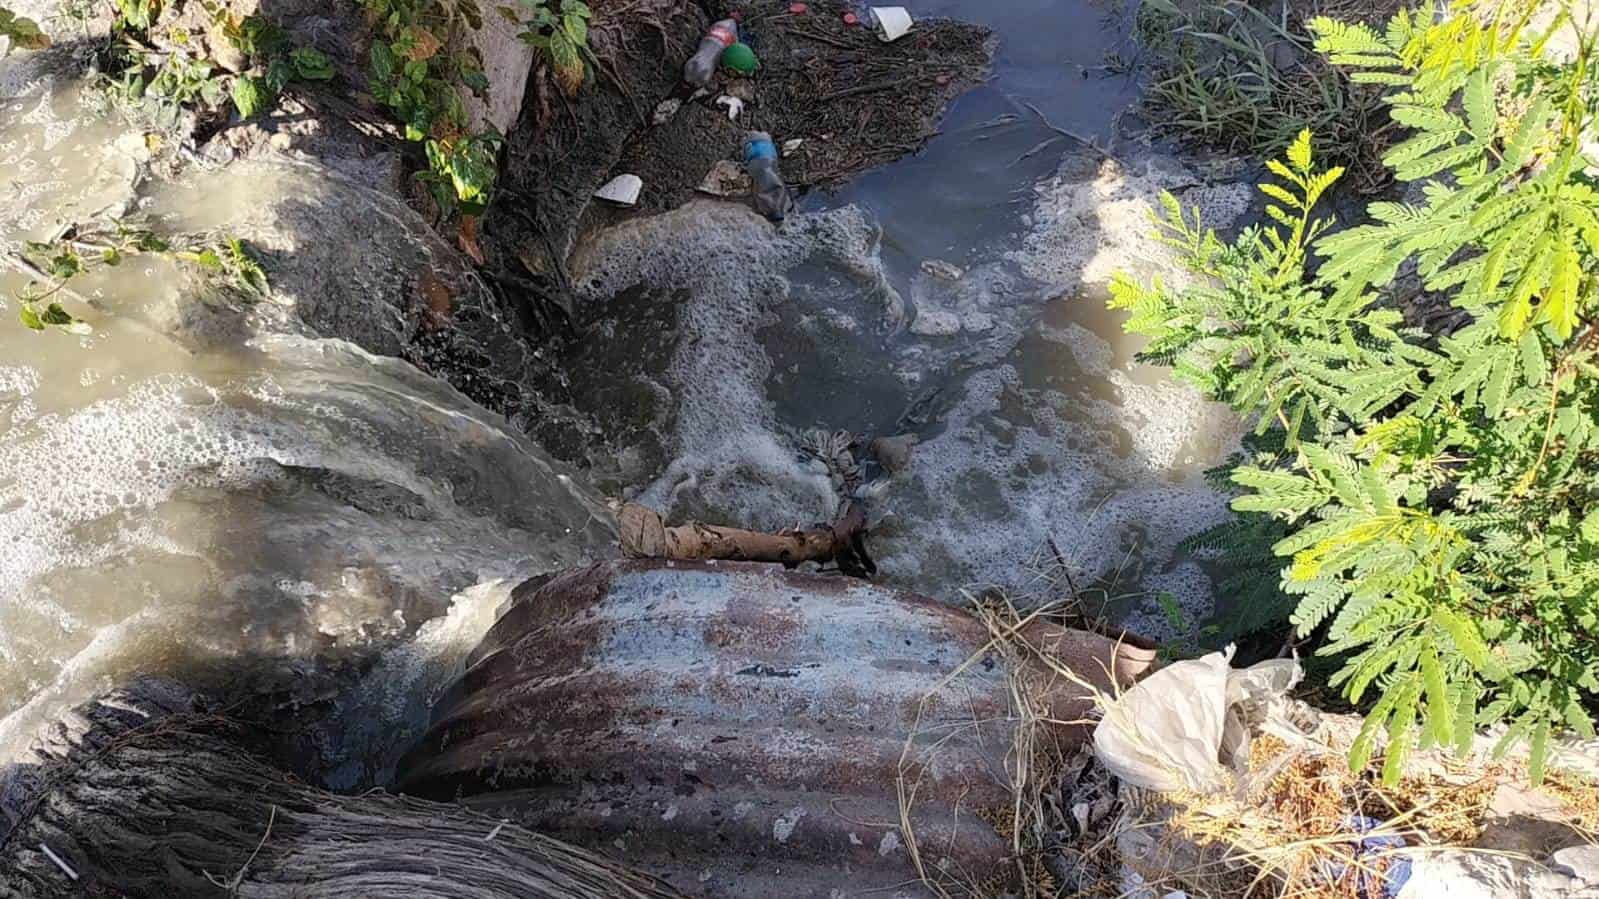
pixel 1015 471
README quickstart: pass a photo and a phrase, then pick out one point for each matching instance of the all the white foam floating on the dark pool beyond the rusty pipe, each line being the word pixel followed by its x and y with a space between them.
pixel 1109 473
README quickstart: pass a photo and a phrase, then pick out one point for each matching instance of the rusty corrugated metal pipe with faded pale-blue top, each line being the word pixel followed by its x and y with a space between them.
pixel 743 730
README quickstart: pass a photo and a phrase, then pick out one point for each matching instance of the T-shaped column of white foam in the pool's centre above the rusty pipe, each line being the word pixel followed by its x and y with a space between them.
pixel 728 460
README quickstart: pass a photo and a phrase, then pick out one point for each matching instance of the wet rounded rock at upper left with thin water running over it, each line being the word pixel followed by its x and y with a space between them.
pixel 351 262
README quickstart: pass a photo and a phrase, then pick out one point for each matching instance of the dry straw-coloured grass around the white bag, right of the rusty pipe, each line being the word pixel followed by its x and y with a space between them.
pixel 1282 833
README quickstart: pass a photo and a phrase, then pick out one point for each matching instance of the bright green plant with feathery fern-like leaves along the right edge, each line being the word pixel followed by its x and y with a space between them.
pixel 1440 493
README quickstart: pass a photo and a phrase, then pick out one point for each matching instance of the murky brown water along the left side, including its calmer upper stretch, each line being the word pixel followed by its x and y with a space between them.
pixel 268 497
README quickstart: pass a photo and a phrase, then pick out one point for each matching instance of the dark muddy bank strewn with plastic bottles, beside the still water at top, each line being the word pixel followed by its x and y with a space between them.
pixel 851 100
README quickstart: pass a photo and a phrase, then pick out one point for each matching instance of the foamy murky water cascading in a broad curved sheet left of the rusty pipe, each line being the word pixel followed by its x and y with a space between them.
pixel 177 521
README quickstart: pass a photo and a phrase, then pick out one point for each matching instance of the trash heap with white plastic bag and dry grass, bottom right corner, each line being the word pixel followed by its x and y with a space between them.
pixel 1210 781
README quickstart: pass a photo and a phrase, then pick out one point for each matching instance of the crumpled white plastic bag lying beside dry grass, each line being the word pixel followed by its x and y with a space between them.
pixel 1189 724
